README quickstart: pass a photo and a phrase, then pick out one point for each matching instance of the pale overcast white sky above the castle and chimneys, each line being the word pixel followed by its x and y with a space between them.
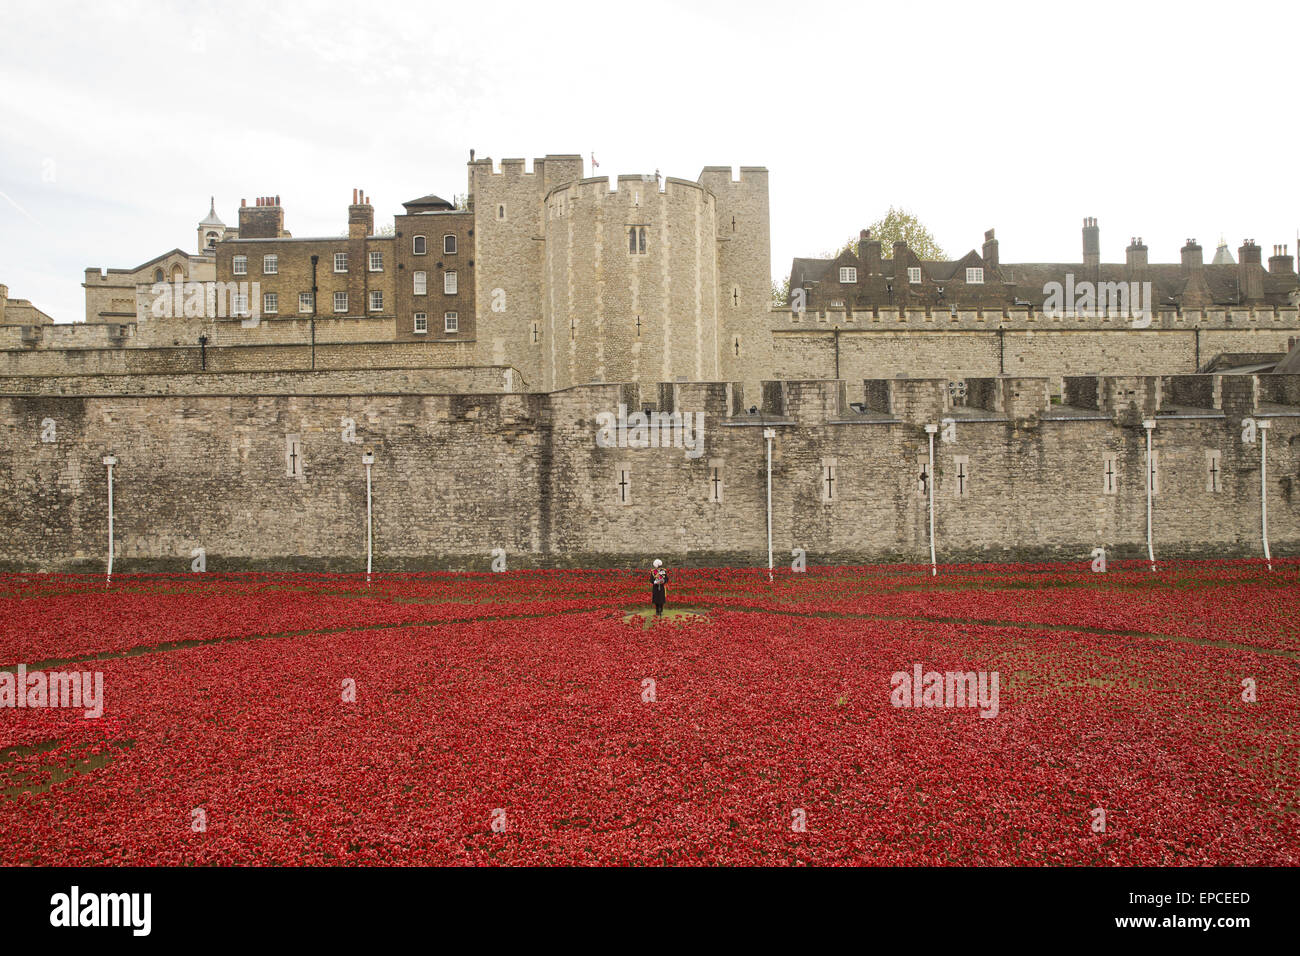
pixel 119 120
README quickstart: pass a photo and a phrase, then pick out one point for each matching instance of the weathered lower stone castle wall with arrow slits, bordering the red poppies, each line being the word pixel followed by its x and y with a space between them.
pixel 457 477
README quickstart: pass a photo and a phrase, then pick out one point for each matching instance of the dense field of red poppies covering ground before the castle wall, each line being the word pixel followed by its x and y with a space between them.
pixel 541 719
